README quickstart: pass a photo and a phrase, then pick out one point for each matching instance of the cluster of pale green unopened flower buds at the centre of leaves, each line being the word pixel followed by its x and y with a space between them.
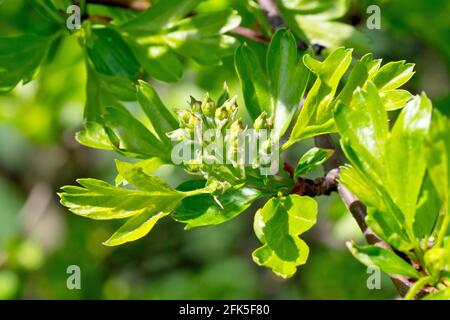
pixel 220 120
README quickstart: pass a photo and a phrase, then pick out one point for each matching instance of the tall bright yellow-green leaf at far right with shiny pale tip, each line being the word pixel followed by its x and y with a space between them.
pixel 405 148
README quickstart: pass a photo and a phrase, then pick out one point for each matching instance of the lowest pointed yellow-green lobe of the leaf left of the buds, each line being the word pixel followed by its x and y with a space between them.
pixel 137 227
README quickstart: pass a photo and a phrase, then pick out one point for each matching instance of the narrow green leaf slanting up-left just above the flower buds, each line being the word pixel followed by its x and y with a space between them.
pixel 159 115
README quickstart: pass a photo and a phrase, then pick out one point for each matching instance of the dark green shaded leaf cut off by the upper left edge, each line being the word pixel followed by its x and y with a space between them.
pixel 20 59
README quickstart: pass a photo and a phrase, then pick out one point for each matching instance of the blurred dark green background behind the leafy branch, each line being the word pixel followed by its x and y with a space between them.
pixel 39 239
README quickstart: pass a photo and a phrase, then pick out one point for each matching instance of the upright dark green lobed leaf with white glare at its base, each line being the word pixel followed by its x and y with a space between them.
pixel 272 91
